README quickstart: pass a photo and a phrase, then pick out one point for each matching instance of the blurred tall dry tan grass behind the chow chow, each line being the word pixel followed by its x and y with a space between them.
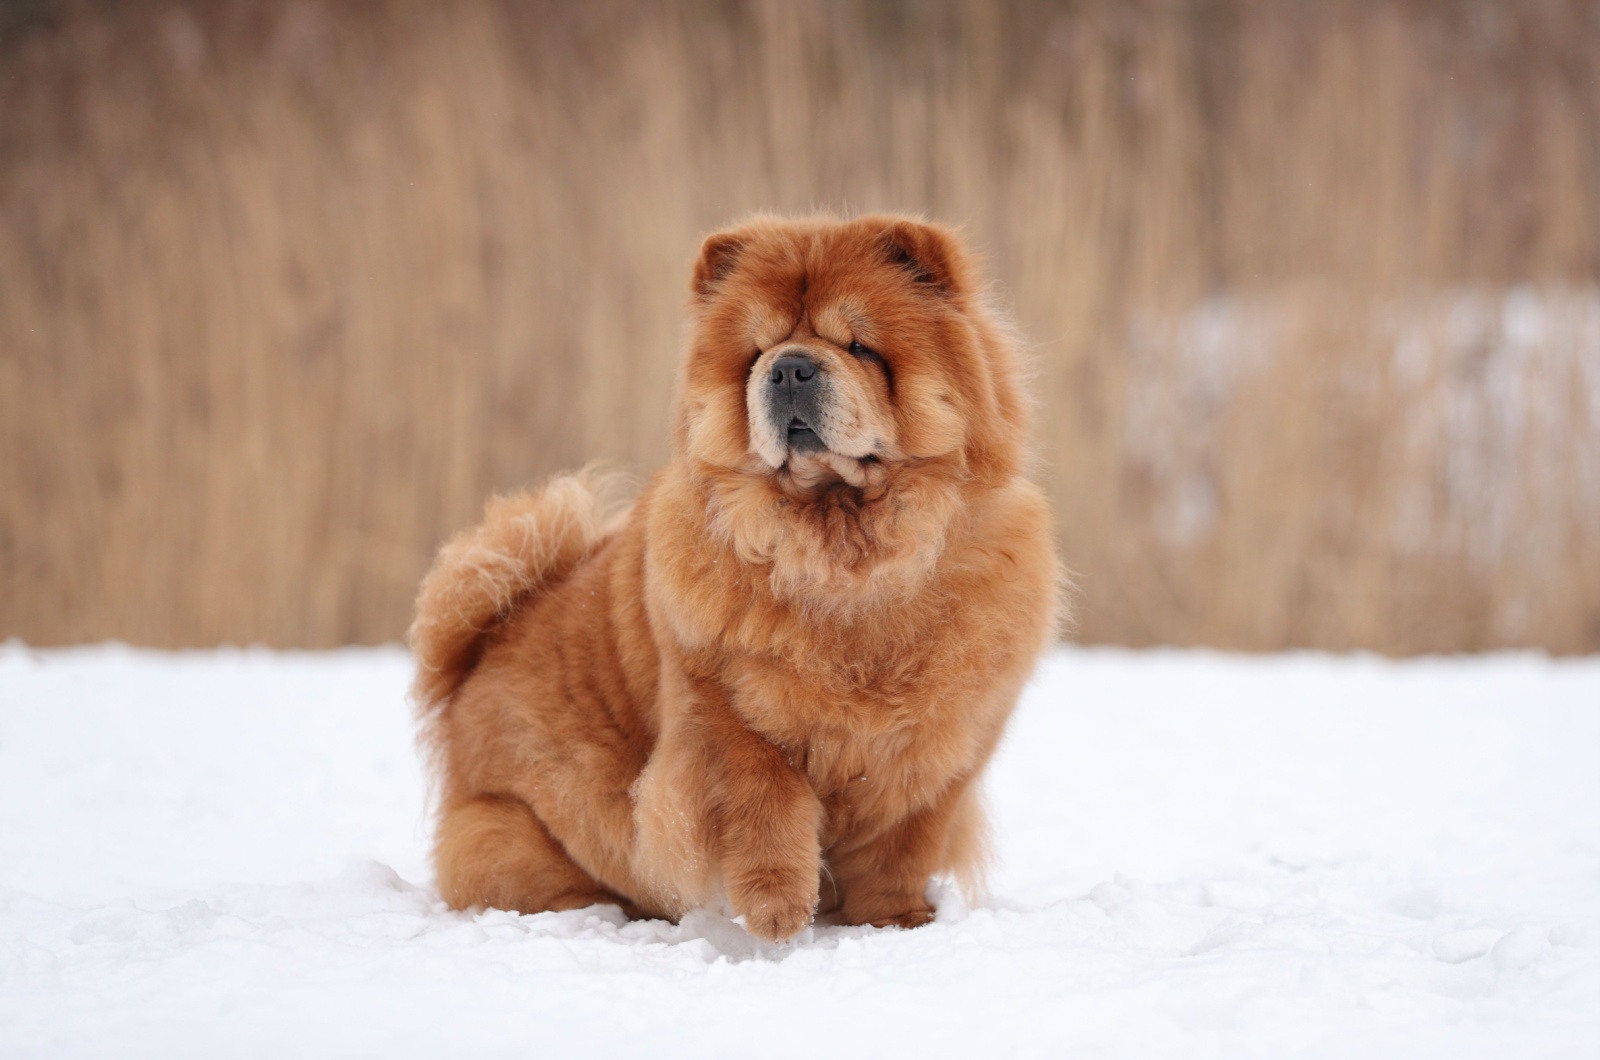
pixel 286 289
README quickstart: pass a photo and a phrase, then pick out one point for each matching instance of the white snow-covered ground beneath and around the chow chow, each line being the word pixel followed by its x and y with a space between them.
pixel 1202 856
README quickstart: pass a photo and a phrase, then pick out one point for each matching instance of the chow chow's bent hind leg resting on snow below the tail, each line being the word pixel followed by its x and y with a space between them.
pixel 494 851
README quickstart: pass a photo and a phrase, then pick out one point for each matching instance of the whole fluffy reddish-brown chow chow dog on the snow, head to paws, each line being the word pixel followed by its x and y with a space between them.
pixel 777 678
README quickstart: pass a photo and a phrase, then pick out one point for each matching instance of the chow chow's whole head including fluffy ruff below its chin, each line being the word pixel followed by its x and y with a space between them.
pixel 844 393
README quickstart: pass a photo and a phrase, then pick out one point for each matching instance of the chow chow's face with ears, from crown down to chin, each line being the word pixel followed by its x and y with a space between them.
pixel 841 353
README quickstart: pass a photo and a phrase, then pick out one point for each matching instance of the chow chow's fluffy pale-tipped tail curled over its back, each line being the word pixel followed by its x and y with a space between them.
pixel 527 542
